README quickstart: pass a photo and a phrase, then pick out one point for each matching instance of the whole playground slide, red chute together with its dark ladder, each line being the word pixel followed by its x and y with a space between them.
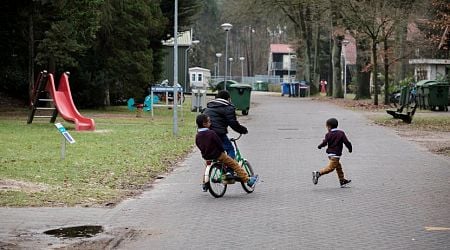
pixel 60 101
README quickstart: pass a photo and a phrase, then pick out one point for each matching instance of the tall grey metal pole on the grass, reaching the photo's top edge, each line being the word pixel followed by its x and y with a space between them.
pixel 175 70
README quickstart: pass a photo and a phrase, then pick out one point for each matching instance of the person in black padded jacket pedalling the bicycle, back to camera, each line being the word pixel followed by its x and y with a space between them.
pixel 223 114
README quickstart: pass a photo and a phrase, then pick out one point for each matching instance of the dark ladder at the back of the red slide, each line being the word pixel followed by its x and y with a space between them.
pixel 41 100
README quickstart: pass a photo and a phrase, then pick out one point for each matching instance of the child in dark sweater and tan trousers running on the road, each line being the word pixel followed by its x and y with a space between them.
pixel 335 139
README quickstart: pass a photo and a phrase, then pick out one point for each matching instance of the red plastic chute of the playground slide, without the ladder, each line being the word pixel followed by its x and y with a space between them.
pixel 64 103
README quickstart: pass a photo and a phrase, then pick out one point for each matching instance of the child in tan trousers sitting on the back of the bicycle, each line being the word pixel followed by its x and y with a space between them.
pixel 211 148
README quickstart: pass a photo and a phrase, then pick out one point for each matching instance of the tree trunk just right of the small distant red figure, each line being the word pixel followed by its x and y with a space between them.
pixel 337 69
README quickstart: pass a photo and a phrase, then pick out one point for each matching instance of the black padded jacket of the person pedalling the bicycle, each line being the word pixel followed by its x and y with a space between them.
pixel 223 114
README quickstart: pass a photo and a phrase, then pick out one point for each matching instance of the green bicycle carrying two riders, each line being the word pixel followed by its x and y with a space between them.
pixel 215 178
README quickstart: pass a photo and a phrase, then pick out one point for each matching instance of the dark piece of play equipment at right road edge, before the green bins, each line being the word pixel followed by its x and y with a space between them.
pixel 408 105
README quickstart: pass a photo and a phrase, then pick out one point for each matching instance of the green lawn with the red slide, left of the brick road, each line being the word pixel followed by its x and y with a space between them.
pixel 120 158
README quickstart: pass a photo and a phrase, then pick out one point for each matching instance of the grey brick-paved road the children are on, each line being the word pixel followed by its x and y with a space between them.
pixel 398 192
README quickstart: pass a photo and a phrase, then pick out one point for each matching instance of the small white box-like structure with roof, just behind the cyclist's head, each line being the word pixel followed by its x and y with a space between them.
pixel 199 80
